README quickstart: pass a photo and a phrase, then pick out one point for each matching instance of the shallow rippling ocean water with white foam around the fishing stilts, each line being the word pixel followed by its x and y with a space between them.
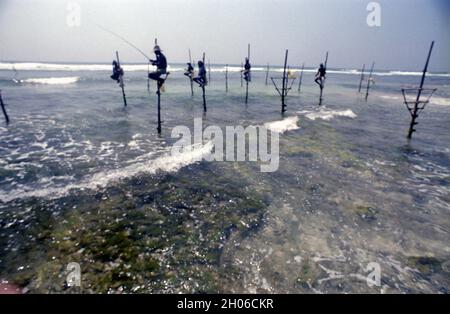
pixel 83 179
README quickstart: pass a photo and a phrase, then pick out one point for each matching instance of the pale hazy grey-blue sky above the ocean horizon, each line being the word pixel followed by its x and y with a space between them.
pixel 36 30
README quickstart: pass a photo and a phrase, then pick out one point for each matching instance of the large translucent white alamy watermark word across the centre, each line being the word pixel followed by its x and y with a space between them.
pixel 231 146
